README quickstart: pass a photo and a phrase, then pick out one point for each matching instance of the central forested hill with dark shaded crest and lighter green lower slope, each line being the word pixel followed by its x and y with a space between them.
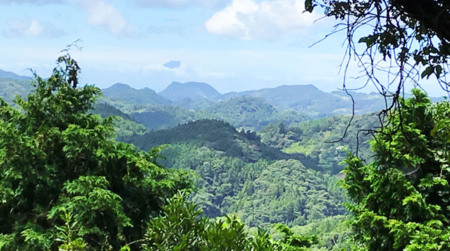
pixel 235 172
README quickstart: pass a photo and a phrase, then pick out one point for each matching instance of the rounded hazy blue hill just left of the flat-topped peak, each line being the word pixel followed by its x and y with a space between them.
pixel 125 93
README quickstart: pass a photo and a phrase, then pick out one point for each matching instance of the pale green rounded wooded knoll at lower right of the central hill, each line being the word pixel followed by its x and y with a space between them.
pixel 286 191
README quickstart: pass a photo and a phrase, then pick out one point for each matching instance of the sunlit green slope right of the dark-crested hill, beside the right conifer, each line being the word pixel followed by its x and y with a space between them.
pixel 319 139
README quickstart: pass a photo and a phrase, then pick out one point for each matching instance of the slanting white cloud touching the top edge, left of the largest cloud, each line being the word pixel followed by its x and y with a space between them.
pixel 106 16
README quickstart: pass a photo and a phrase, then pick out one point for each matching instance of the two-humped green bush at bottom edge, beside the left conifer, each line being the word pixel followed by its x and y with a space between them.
pixel 183 228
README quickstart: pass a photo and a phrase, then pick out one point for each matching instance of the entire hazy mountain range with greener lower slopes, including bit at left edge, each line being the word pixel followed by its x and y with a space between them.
pixel 183 102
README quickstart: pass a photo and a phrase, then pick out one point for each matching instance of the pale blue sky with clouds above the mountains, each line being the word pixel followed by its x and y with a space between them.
pixel 234 45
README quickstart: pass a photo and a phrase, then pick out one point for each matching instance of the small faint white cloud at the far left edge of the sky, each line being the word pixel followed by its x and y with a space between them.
pixel 31 28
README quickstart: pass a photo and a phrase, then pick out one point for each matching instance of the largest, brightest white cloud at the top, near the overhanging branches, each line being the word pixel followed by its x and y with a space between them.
pixel 247 19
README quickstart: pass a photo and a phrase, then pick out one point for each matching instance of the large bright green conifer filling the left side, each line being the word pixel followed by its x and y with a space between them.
pixel 64 181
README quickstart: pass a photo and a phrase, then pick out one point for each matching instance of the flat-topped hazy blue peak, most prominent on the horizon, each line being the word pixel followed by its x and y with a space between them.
pixel 177 92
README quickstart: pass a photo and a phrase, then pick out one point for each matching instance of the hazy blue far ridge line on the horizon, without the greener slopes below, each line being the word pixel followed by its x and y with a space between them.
pixel 307 99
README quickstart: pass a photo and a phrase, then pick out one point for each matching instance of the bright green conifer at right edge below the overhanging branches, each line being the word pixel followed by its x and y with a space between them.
pixel 401 199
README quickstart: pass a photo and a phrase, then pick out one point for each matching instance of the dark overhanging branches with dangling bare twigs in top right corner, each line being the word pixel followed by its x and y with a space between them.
pixel 413 36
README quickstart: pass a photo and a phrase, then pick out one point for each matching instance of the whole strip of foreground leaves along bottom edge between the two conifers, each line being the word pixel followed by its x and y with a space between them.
pixel 182 227
